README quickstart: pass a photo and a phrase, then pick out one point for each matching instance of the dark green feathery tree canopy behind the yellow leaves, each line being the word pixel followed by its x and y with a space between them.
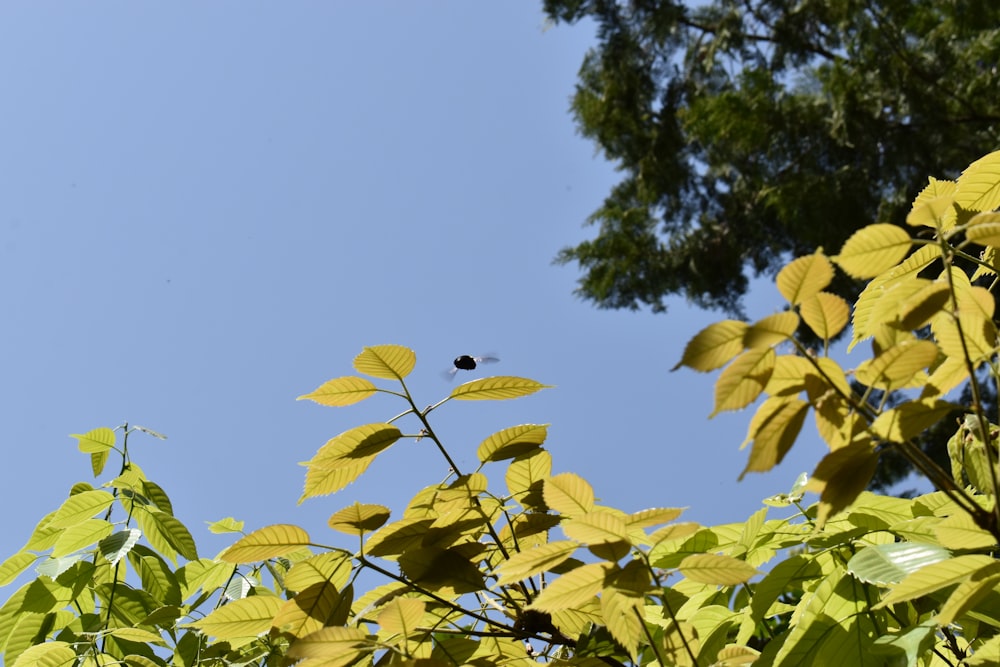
pixel 751 130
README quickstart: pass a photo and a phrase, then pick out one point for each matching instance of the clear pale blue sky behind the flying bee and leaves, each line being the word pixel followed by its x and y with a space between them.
pixel 209 208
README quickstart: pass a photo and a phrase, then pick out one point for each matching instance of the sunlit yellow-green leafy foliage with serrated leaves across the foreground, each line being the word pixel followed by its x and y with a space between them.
pixel 510 564
